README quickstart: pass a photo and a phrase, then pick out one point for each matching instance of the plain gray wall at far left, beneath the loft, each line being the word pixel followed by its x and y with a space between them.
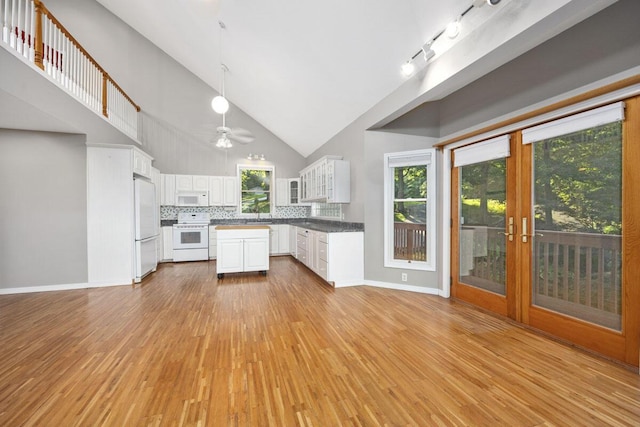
pixel 43 200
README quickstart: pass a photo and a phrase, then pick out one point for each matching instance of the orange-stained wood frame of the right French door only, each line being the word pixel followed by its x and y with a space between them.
pixel 621 345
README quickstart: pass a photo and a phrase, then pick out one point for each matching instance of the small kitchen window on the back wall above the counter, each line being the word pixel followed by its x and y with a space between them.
pixel 255 189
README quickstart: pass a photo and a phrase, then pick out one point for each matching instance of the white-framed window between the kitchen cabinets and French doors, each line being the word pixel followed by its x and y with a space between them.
pixel 409 216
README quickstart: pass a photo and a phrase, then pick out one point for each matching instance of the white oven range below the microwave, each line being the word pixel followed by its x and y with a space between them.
pixel 191 237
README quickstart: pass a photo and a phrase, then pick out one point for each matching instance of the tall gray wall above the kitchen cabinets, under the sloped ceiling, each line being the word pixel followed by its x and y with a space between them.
pixel 178 121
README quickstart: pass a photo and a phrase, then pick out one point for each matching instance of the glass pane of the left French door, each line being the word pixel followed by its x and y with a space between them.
pixel 483 205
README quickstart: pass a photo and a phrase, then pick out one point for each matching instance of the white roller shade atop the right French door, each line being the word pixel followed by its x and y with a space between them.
pixel 585 120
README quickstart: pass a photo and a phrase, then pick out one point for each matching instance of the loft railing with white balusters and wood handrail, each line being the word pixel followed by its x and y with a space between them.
pixel 30 29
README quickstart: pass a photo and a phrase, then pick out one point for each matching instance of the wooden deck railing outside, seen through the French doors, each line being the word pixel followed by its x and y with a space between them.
pixel 571 270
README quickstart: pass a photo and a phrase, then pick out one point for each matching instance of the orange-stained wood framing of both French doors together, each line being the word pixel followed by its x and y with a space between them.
pixel 622 345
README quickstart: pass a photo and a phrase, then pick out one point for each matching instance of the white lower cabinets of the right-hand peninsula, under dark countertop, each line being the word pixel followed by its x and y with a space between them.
pixel 336 257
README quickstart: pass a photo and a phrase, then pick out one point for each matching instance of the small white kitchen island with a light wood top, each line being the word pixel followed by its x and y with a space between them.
pixel 242 248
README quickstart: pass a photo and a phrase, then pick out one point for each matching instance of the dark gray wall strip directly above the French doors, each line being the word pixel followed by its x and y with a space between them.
pixel 599 47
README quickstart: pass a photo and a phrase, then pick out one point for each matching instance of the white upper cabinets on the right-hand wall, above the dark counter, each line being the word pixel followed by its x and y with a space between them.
pixel 326 180
